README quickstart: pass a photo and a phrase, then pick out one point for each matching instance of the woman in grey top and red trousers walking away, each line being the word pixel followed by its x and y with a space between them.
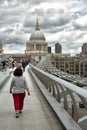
pixel 18 86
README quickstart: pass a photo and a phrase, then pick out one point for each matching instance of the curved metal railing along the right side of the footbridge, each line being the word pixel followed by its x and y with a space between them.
pixel 72 98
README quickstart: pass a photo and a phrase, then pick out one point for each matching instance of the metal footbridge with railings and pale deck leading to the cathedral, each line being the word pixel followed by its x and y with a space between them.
pixel 55 102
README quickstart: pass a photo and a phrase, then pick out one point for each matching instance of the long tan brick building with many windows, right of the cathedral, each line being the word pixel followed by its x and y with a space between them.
pixel 71 64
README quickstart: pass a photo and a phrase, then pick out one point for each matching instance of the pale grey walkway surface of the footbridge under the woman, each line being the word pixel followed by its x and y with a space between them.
pixel 37 114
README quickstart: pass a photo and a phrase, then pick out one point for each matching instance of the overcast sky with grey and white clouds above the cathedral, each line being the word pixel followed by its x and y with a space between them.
pixel 61 21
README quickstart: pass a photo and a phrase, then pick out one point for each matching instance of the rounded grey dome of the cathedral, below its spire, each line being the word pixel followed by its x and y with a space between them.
pixel 37 35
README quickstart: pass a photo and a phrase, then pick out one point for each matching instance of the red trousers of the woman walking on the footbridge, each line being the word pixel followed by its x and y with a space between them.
pixel 18 100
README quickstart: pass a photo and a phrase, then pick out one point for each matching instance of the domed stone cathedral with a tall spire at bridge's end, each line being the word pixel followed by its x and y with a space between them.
pixel 37 45
